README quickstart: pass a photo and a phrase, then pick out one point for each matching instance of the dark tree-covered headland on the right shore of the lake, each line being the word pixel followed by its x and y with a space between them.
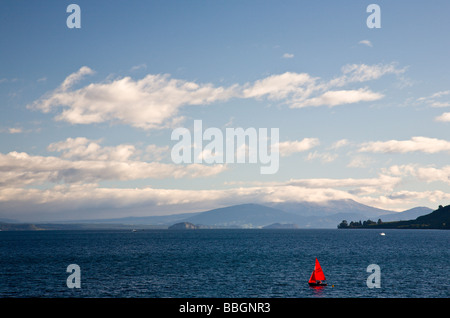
pixel 438 219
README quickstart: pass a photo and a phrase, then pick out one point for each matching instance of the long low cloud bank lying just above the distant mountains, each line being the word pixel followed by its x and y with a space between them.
pixel 91 196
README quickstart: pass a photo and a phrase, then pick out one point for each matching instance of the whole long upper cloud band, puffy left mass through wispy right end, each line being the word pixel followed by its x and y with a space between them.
pixel 154 102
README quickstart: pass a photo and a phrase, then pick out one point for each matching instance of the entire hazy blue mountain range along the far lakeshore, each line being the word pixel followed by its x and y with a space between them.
pixel 301 214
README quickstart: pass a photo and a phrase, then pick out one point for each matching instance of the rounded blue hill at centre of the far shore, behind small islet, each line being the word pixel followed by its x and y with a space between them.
pixel 243 216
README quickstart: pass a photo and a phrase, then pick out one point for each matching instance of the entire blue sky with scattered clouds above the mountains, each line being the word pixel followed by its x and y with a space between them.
pixel 88 114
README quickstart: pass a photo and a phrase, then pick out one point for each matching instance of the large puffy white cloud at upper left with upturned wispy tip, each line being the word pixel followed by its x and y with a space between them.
pixel 149 103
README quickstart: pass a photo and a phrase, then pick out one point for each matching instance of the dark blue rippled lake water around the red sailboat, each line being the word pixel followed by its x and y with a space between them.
pixel 224 263
